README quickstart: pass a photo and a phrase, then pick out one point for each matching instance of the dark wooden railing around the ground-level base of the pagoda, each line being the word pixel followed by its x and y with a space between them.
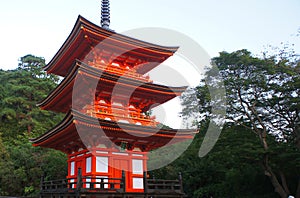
pixel 115 187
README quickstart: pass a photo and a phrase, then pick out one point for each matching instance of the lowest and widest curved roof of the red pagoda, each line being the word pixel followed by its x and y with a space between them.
pixel 78 130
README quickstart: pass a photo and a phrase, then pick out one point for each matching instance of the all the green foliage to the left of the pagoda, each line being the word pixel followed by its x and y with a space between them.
pixel 21 164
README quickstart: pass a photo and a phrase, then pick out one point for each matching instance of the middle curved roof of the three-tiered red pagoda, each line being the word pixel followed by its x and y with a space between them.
pixel 81 85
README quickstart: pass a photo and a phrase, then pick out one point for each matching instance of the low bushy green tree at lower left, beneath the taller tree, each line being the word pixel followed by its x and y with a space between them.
pixel 24 165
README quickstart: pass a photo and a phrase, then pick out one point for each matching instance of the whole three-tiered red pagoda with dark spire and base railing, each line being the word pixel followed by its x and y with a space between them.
pixel 107 132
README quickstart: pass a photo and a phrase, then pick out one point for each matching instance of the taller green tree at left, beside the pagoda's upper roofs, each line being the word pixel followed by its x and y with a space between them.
pixel 21 91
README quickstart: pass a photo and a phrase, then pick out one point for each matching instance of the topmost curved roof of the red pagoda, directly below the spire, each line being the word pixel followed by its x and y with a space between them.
pixel 85 36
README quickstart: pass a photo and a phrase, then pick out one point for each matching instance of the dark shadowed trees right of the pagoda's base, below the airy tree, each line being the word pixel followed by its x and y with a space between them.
pixel 231 169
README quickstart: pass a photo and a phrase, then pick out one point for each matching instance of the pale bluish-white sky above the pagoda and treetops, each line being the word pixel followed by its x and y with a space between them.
pixel 39 27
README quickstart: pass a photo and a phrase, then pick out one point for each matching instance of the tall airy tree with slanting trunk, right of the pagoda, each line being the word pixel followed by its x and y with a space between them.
pixel 263 96
